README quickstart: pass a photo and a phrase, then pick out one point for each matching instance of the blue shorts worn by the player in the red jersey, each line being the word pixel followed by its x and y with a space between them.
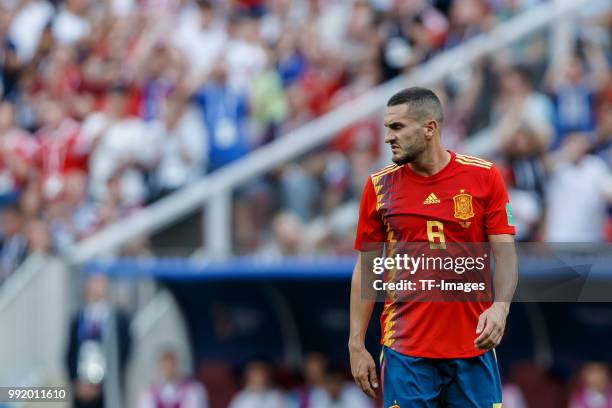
pixel 414 382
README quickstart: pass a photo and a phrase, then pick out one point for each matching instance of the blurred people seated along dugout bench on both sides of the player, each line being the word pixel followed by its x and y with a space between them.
pixel 322 386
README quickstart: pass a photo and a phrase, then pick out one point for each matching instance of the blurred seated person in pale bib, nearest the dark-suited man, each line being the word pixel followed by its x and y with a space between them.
pixel 173 390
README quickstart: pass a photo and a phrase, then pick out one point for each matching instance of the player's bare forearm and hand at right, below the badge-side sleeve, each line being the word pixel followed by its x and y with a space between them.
pixel 492 322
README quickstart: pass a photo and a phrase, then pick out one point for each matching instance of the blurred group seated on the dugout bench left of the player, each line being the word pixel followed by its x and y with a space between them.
pixel 320 387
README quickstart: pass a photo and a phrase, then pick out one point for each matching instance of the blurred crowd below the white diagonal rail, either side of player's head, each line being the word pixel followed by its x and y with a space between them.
pixel 545 119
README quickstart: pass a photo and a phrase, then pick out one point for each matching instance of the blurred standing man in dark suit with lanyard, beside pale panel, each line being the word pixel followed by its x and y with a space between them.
pixel 98 348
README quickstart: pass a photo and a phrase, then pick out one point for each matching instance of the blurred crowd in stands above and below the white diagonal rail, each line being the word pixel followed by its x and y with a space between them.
pixel 110 105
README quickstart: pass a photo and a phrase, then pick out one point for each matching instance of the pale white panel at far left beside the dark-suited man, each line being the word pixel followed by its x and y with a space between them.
pixel 34 318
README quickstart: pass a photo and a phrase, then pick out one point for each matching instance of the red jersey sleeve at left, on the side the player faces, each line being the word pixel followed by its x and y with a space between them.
pixel 370 227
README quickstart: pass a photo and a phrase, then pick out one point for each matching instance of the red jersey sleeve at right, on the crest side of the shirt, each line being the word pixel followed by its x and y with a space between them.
pixel 498 214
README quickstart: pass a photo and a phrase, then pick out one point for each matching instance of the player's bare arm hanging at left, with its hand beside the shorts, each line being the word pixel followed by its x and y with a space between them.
pixel 363 367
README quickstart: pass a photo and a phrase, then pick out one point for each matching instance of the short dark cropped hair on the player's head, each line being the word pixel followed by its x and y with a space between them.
pixel 423 103
